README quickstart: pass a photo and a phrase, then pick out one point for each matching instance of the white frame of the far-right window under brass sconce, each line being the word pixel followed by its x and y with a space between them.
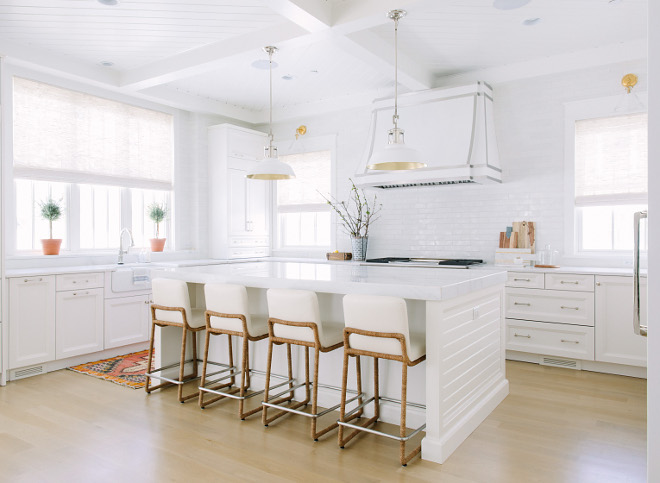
pixel 576 111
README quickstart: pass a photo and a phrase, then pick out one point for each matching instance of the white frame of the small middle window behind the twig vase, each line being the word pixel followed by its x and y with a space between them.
pixel 301 146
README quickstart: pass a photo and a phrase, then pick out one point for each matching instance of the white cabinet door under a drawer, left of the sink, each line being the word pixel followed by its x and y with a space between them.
pixel 79 322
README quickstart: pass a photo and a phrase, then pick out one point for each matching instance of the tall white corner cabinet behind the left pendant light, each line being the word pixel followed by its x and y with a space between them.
pixel 240 208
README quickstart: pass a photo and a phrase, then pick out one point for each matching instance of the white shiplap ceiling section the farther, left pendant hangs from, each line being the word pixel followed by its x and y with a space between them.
pixel 317 71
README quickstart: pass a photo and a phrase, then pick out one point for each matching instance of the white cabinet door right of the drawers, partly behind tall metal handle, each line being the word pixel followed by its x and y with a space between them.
pixel 615 340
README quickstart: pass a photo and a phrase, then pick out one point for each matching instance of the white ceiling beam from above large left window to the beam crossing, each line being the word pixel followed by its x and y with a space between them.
pixel 206 58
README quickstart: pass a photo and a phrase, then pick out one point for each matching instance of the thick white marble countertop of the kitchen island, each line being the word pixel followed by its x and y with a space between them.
pixel 411 283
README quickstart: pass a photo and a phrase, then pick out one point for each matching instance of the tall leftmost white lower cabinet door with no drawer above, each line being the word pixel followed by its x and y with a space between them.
pixel 31 320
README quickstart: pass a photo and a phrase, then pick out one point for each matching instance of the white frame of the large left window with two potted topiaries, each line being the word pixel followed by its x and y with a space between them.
pixel 8 192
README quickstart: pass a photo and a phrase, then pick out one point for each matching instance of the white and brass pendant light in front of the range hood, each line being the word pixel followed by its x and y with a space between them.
pixel 396 155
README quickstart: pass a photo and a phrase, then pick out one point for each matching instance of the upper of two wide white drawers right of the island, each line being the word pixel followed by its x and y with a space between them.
pixel 550 306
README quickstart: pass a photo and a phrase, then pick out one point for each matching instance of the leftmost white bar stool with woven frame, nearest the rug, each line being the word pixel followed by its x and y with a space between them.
pixel 171 308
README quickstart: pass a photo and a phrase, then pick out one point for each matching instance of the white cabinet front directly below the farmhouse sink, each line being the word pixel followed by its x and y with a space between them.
pixel 126 320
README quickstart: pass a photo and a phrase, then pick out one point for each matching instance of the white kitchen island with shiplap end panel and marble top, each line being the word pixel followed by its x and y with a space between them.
pixel 461 312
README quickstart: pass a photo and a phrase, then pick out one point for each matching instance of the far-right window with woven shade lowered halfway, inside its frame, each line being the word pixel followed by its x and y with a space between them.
pixel 611 165
